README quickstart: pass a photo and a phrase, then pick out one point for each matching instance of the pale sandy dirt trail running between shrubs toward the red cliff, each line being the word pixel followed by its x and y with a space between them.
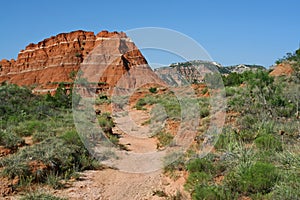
pixel 112 184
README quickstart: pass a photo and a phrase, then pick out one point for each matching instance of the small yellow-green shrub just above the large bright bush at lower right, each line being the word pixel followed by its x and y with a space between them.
pixel 268 142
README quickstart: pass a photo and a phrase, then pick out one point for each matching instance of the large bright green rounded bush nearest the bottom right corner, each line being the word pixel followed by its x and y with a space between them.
pixel 258 178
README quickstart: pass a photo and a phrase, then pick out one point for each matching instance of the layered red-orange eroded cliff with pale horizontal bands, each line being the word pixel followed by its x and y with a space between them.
pixel 51 61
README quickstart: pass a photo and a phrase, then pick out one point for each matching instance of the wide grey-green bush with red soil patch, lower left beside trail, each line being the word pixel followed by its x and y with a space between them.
pixel 53 155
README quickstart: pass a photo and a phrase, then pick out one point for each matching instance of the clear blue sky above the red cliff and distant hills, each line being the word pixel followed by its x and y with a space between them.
pixel 233 32
